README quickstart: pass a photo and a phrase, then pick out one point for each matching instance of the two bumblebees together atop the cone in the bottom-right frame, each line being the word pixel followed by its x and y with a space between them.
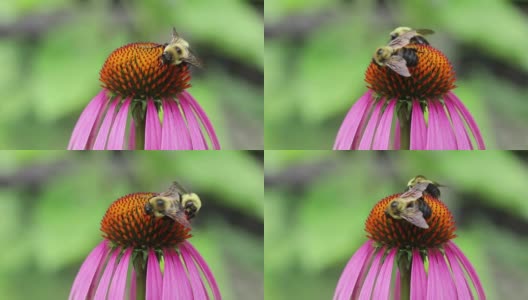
pixel 411 206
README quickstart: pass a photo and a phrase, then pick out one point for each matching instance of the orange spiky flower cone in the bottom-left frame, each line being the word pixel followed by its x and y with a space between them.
pixel 128 225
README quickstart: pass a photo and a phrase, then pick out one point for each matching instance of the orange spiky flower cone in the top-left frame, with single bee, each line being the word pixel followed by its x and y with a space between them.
pixel 135 70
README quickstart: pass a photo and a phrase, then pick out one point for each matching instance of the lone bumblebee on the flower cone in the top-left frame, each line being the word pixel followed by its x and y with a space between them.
pixel 177 51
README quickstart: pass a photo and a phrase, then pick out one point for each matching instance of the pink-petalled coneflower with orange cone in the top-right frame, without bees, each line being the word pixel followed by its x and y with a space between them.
pixel 429 115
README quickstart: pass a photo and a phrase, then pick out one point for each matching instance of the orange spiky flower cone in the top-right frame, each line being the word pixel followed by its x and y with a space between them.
pixel 433 76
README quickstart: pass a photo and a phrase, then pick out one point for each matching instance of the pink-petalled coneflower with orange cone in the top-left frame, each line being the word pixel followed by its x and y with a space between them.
pixel 143 105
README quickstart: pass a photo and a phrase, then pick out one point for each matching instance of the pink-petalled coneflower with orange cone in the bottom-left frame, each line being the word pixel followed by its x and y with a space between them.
pixel 144 256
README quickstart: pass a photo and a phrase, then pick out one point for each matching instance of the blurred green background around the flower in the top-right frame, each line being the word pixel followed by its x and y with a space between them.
pixel 317 52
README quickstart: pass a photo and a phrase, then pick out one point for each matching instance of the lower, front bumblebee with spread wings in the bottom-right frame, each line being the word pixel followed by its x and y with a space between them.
pixel 410 206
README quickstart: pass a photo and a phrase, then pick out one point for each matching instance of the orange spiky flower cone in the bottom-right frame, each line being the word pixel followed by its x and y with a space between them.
pixel 400 233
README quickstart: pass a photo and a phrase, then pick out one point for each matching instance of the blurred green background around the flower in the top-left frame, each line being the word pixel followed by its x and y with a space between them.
pixel 51 53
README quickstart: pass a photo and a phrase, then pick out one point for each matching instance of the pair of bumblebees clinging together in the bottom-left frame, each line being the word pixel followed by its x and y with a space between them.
pixel 176 203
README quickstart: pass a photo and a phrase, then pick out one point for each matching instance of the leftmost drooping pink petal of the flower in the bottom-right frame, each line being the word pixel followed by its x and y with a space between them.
pixel 350 276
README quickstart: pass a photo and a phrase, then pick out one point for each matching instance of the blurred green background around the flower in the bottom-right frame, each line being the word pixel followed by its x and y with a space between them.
pixel 317 203
